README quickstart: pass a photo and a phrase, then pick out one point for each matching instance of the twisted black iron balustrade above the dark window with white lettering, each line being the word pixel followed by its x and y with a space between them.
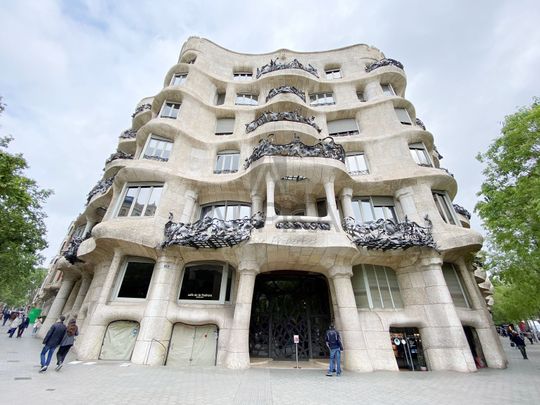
pixel 211 232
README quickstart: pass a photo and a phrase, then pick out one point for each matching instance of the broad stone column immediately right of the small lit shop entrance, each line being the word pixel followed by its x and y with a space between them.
pixel 423 289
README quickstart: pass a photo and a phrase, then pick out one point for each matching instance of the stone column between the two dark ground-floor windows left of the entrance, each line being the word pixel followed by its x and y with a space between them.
pixel 156 329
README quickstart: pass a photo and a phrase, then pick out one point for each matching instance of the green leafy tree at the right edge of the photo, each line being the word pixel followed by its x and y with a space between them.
pixel 510 209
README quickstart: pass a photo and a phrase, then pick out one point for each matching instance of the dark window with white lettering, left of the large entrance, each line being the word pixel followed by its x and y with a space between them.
pixel 207 282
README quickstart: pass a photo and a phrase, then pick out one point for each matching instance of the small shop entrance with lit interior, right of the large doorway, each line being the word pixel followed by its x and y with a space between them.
pixel 407 346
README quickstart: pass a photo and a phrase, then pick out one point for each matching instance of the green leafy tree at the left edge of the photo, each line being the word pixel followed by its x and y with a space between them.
pixel 22 227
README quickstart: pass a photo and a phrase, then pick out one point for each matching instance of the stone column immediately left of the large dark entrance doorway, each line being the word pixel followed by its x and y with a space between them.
pixel 238 346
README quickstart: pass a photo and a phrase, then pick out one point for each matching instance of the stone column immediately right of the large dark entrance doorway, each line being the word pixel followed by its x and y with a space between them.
pixel 356 357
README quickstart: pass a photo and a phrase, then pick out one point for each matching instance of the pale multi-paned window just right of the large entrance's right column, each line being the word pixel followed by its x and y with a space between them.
pixel 375 287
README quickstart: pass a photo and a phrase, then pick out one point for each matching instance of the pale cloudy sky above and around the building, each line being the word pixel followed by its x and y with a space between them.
pixel 72 72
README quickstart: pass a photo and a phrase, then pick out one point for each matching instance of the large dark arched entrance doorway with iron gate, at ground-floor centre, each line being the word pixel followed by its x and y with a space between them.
pixel 288 303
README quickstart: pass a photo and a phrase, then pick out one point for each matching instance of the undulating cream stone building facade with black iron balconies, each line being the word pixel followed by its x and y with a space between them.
pixel 258 197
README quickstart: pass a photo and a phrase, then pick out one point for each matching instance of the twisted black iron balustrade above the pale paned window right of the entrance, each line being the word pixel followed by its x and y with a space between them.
pixel 385 234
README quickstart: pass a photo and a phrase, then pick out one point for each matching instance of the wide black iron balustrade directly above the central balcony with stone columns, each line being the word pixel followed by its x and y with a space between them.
pixel 325 148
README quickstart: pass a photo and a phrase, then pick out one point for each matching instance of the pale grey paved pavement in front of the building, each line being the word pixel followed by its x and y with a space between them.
pixel 115 383
